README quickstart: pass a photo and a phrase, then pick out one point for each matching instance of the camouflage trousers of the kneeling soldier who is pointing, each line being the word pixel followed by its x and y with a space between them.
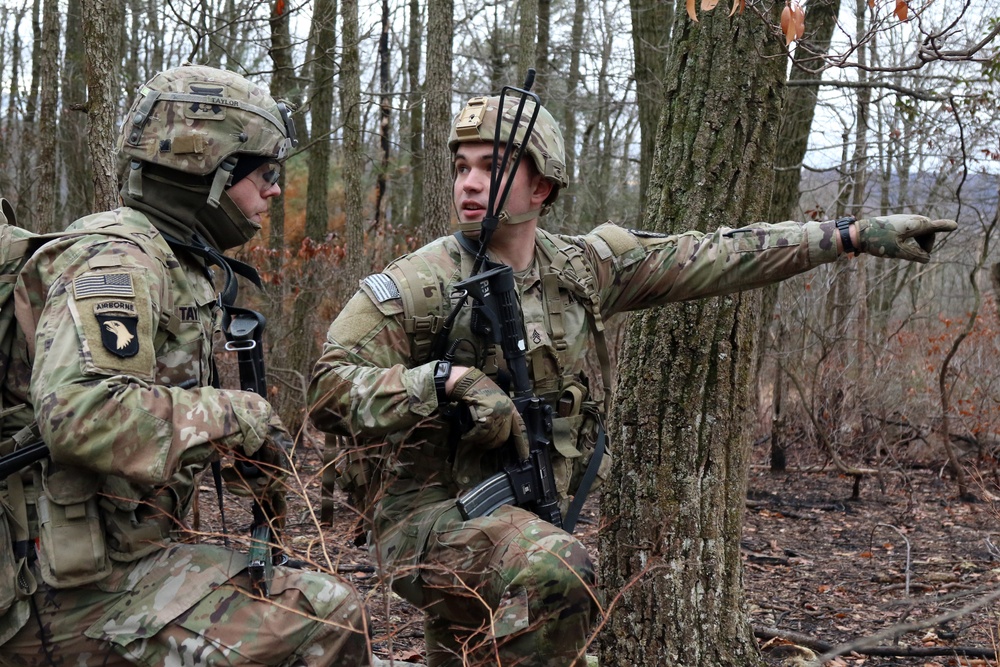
pixel 508 589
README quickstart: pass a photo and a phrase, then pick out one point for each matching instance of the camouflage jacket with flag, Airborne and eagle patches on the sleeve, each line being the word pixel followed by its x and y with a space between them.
pixel 113 359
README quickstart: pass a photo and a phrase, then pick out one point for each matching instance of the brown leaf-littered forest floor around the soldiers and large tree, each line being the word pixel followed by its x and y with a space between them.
pixel 818 566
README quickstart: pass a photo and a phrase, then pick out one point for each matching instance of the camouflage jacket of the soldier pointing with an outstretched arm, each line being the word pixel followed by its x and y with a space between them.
pixel 373 382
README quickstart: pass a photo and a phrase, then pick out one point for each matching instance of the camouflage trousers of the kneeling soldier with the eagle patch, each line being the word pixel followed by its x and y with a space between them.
pixel 188 605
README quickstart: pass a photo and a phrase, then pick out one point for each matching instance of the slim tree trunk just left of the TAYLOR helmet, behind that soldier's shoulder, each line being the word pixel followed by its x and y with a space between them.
pixel 101 22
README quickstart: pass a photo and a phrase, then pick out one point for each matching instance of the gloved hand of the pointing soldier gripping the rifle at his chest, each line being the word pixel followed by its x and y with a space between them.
pixel 491 411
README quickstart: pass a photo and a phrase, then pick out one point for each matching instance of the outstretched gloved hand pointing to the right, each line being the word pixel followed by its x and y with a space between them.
pixel 901 236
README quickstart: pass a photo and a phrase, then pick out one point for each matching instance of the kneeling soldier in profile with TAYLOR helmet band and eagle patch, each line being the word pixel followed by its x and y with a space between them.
pixel 113 358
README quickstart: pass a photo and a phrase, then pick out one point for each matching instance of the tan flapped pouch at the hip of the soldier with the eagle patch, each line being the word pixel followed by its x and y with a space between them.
pixel 72 549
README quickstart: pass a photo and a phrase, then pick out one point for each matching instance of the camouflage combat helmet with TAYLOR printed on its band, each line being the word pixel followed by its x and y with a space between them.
pixel 198 120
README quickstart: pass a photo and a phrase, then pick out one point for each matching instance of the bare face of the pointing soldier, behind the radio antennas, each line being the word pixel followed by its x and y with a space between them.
pixel 473 167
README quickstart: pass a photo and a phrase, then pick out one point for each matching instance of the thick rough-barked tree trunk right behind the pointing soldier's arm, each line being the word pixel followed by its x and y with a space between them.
pixel 685 375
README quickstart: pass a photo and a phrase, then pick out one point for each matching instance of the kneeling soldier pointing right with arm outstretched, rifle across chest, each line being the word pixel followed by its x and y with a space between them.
pixel 511 588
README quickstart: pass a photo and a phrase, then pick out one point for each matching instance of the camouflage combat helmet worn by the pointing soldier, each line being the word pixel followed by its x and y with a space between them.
pixel 477 122
